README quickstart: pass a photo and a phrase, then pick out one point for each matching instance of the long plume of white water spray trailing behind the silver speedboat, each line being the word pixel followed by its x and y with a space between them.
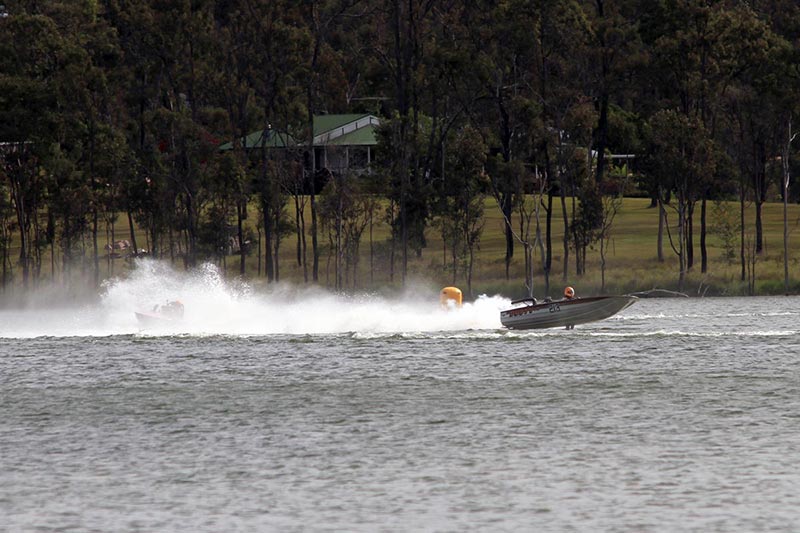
pixel 214 306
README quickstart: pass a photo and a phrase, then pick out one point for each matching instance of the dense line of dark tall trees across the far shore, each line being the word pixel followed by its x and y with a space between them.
pixel 112 112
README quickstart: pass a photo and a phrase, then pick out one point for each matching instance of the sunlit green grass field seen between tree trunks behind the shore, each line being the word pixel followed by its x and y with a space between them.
pixel 631 259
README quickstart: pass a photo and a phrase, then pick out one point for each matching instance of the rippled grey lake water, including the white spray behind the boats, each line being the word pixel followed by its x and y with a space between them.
pixel 299 411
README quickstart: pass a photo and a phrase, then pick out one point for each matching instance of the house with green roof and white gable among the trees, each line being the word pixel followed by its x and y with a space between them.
pixel 342 143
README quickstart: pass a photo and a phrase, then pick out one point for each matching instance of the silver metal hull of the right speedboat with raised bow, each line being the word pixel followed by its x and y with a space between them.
pixel 564 313
